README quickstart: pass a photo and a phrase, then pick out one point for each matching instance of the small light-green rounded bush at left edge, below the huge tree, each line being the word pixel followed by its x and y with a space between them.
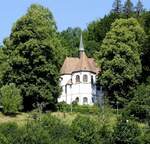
pixel 10 99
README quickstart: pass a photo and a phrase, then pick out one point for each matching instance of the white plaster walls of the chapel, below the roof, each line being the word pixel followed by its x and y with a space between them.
pixel 79 90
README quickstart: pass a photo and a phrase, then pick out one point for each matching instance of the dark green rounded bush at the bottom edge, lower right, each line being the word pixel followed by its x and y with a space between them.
pixel 126 132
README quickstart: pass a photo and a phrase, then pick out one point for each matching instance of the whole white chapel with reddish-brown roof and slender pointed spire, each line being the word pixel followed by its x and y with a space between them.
pixel 78 80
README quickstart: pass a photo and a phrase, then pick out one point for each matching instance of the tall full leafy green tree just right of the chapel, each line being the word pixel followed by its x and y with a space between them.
pixel 119 59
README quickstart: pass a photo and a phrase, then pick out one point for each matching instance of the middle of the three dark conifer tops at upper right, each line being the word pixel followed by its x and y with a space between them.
pixel 128 8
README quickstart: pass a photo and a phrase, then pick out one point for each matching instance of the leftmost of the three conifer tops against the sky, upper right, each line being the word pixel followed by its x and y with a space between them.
pixel 117 7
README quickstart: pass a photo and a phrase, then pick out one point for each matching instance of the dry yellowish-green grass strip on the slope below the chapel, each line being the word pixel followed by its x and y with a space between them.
pixel 108 116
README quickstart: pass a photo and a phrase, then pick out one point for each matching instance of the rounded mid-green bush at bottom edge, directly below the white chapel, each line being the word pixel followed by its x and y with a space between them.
pixel 84 130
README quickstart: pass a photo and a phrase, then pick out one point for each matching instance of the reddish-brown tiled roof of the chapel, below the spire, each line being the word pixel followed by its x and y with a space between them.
pixel 79 64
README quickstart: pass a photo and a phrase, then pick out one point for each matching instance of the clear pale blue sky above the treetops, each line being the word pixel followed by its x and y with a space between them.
pixel 67 13
